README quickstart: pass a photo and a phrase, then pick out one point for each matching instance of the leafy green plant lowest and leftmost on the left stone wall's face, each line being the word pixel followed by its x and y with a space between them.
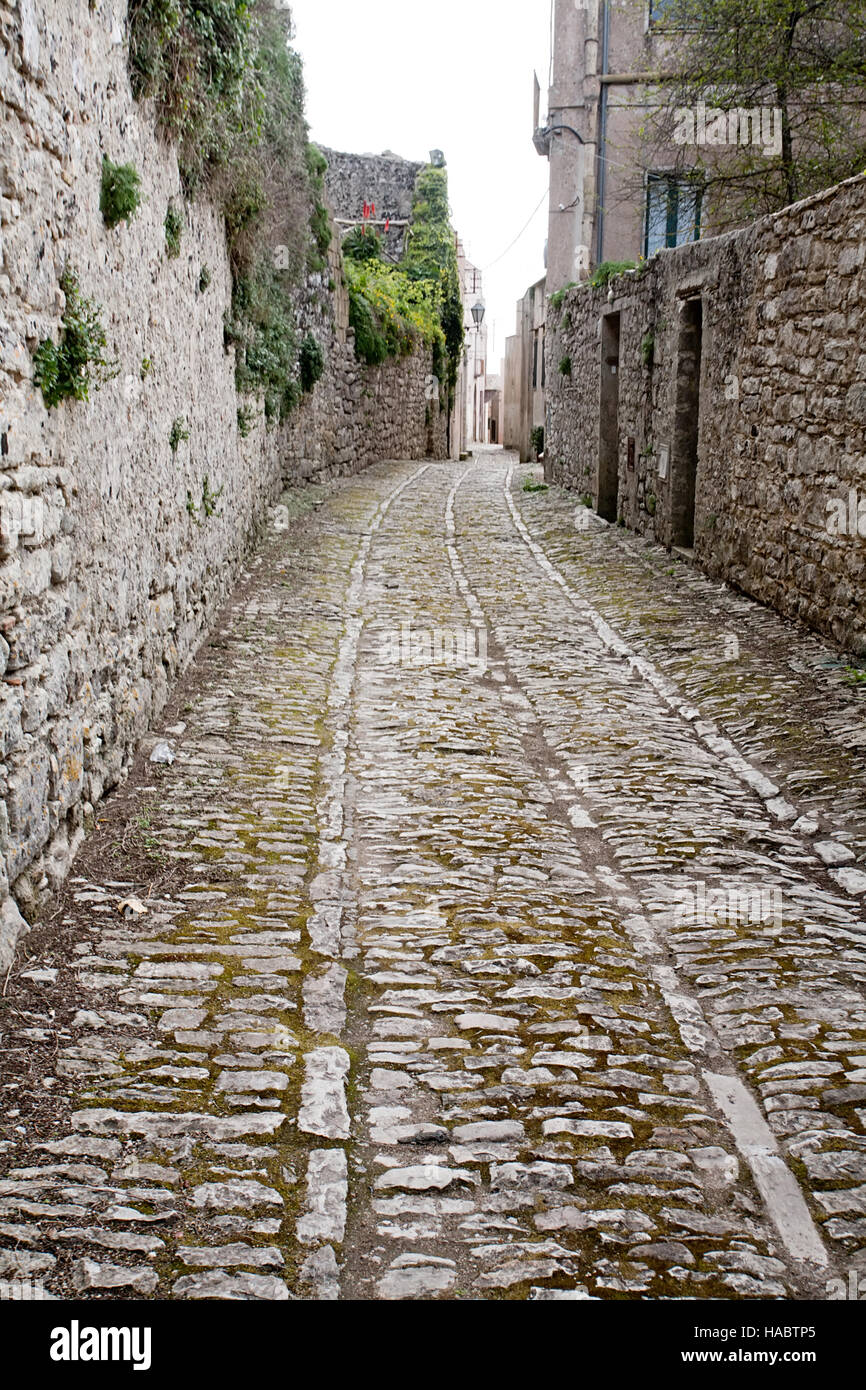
pixel 79 365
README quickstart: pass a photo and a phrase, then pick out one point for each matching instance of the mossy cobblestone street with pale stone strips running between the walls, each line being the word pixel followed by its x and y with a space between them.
pixel 498 932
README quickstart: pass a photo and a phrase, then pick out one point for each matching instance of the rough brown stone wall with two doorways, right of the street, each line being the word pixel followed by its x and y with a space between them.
pixel 735 423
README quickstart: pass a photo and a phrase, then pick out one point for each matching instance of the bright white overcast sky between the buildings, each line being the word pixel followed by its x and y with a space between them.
pixel 455 76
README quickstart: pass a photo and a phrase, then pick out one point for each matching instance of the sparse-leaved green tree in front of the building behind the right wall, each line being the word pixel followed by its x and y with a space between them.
pixel 801 60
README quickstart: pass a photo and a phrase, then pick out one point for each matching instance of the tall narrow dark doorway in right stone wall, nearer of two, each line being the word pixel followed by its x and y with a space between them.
pixel 687 425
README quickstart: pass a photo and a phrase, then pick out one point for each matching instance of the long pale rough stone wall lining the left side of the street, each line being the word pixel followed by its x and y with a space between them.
pixel 111 568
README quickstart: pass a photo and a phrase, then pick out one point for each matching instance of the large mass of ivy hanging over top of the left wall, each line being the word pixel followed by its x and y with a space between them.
pixel 229 92
